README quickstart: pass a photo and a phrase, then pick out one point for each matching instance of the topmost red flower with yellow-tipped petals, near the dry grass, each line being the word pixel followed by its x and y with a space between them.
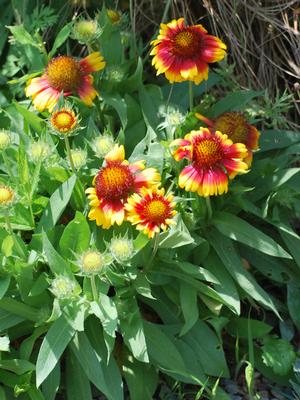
pixel 183 52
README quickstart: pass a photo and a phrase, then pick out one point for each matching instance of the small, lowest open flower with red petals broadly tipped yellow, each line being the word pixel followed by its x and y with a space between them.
pixel 151 210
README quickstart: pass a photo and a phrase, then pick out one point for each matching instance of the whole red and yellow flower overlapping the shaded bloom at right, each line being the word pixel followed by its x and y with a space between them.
pixel 214 159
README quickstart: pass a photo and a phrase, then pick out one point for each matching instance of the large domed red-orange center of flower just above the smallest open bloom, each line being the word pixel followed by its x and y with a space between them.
pixel 114 182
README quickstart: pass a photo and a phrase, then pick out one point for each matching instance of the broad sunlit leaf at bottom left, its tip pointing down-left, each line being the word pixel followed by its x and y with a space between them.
pixel 53 345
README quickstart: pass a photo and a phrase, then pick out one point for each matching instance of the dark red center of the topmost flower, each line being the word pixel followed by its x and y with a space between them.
pixel 187 43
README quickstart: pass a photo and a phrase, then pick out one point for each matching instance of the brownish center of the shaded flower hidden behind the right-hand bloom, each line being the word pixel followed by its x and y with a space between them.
pixel 234 125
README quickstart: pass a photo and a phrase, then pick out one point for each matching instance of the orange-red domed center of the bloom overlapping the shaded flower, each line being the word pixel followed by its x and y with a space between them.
pixel 207 152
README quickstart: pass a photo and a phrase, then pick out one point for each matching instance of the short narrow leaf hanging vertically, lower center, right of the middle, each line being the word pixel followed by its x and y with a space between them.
pixel 188 301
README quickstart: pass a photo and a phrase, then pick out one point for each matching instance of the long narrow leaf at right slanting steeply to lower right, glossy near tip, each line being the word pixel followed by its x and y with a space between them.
pixel 232 262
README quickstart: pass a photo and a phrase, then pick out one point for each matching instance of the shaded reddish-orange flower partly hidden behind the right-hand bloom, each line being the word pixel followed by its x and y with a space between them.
pixel 235 126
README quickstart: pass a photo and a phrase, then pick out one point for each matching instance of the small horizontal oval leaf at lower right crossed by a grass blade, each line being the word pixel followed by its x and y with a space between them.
pixel 238 327
